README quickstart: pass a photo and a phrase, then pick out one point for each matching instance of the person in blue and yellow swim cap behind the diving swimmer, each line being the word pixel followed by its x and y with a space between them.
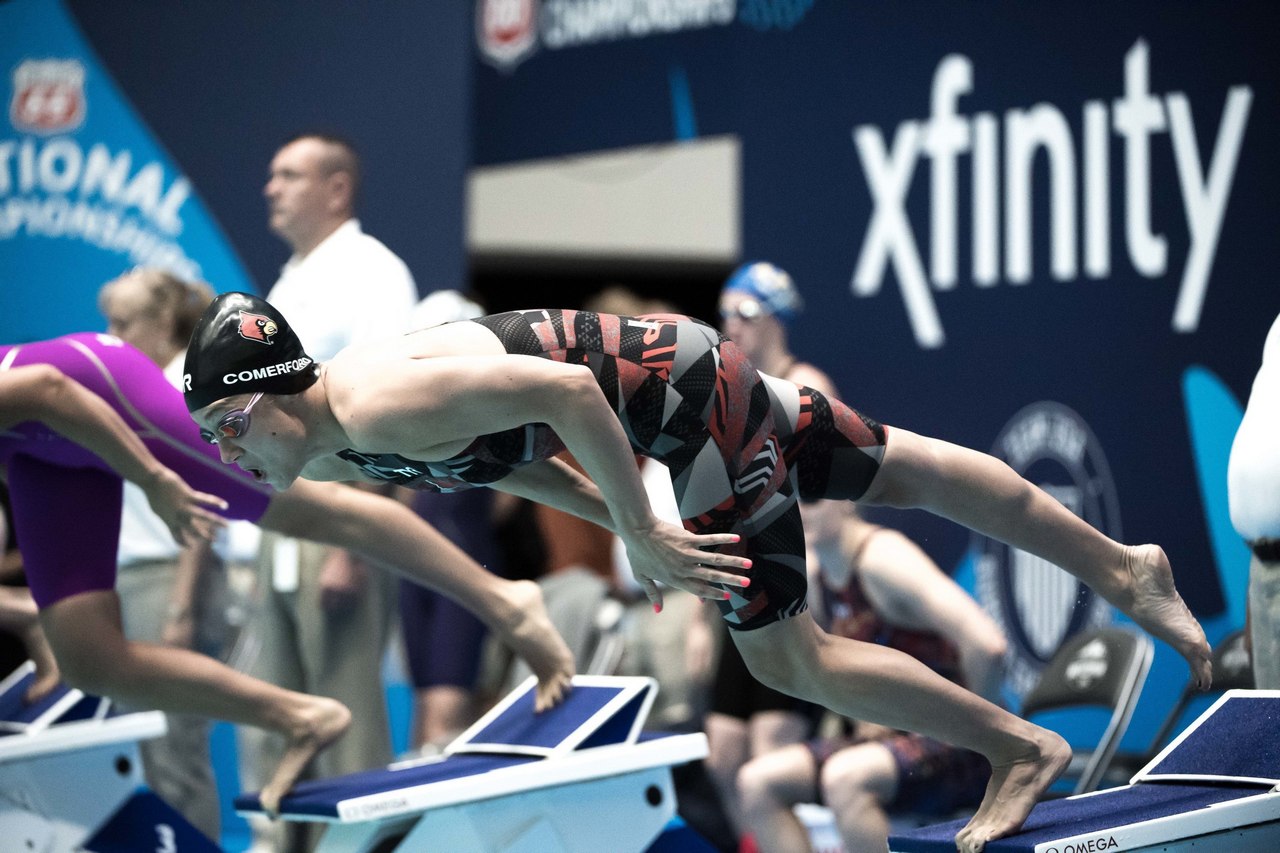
pixel 748 719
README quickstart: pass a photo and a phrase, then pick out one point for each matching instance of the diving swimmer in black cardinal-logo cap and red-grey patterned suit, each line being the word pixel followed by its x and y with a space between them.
pixel 491 402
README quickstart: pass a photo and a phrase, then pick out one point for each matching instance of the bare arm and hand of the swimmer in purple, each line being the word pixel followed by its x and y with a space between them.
pixel 47 395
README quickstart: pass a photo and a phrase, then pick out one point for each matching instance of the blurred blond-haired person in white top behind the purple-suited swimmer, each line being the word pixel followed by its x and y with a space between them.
pixel 170 594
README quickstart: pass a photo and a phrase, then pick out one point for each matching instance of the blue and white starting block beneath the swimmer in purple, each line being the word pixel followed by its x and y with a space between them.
pixel 579 778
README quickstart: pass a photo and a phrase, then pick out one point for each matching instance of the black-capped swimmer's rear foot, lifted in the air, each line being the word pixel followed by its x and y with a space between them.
pixel 1154 603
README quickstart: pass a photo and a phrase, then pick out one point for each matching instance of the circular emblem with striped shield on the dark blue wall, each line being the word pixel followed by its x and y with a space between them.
pixel 1039 605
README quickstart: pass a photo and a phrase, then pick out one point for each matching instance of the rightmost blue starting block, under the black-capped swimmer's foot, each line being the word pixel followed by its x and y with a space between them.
pixel 1214 790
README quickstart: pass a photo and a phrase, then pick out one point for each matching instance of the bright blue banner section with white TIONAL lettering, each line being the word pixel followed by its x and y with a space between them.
pixel 92 198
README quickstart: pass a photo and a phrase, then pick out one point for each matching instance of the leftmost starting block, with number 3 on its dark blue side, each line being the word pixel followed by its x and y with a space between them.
pixel 71 777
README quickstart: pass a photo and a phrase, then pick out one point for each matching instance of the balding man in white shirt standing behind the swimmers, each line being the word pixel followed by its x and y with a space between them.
pixel 326 617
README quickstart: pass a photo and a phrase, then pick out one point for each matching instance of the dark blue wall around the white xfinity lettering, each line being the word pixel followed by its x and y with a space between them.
pixel 798 83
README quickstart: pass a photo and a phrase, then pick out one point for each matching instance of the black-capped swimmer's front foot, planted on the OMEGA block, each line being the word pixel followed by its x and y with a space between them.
pixel 1014 788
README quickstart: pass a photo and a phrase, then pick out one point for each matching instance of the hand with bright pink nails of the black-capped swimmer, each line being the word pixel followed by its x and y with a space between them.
pixel 669 554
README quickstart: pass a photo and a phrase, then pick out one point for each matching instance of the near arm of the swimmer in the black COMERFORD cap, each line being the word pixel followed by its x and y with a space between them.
pixel 414 405
